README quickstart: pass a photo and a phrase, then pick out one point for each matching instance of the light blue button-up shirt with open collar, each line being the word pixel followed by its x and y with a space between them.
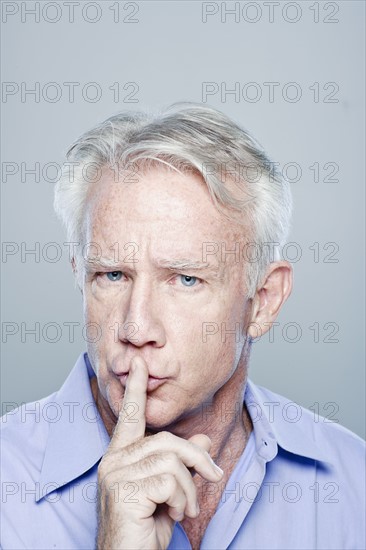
pixel 300 482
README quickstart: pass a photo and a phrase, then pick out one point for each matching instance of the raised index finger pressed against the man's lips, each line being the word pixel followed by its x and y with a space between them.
pixel 131 422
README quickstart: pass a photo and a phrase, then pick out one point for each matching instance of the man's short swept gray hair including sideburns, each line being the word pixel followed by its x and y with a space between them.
pixel 186 136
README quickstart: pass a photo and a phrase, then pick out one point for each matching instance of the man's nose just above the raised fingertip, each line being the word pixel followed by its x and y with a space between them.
pixel 142 315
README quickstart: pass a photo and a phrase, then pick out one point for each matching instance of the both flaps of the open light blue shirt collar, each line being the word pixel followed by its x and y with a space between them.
pixel 77 437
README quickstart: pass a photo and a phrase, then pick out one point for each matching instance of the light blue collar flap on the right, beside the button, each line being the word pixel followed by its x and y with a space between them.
pixel 279 422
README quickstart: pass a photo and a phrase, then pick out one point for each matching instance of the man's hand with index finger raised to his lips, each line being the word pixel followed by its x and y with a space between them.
pixel 144 482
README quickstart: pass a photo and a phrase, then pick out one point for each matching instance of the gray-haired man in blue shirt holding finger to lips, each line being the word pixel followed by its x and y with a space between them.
pixel 158 439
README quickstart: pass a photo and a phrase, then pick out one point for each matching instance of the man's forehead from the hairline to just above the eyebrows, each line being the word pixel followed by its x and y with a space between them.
pixel 178 206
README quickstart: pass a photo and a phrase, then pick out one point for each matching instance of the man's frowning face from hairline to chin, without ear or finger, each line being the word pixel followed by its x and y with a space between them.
pixel 153 303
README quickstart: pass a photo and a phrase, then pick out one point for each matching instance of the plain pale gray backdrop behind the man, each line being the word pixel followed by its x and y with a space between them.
pixel 169 52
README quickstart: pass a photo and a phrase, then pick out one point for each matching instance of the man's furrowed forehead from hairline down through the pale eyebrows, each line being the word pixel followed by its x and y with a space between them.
pixel 164 218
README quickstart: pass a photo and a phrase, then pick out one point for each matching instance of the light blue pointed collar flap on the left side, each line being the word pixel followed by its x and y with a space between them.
pixel 77 437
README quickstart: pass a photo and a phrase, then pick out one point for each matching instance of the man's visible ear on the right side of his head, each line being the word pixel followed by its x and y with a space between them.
pixel 270 297
